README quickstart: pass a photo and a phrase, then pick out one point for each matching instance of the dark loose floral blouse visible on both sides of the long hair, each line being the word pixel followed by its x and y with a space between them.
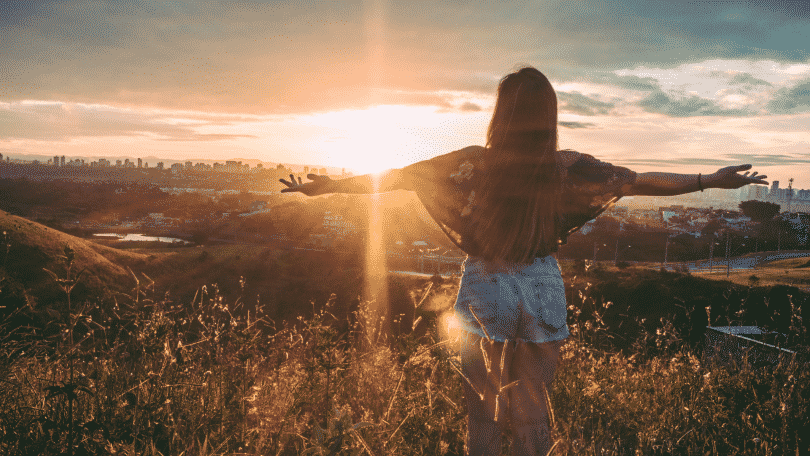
pixel 447 184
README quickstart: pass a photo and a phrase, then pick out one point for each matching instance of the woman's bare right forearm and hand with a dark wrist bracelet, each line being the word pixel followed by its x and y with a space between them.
pixel 669 184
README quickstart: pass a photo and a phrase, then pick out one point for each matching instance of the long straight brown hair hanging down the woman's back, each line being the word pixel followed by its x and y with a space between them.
pixel 518 215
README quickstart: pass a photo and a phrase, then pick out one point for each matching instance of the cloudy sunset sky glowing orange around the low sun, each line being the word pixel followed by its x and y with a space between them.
pixel 677 86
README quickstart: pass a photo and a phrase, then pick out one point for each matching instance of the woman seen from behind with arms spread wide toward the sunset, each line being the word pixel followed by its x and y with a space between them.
pixel 509 206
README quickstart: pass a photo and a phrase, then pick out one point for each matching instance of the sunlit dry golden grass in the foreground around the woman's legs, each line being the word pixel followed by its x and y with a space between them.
pixel 213 377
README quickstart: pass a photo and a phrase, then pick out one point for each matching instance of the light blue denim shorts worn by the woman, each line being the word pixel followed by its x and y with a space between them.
pixel 512 300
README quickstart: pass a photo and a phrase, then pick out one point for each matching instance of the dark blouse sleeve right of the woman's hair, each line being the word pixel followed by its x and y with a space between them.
pixel 591 186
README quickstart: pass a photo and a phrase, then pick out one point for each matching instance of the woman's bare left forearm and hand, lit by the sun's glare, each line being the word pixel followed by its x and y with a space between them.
pixel 386 181
